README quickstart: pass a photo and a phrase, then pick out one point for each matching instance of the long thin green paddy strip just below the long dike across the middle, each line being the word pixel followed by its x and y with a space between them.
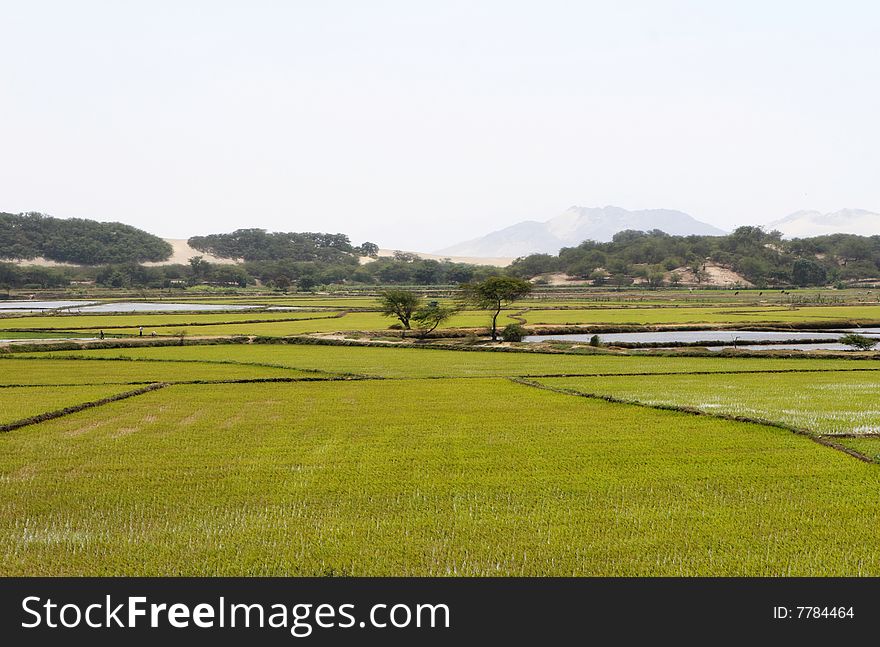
pixel 421 362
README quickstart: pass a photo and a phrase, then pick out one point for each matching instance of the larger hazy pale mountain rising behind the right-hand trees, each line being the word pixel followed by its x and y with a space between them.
pixel 574 226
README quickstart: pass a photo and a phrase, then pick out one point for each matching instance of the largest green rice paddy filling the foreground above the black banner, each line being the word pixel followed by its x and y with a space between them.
pixel 474 477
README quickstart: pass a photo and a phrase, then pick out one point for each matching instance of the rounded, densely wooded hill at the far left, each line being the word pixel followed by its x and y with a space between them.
pixel 31 235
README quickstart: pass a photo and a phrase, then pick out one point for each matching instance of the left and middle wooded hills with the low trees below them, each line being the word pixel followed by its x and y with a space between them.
pixel 110 255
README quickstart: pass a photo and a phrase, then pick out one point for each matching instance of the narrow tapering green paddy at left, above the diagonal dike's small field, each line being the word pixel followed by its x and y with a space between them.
pixel 49 371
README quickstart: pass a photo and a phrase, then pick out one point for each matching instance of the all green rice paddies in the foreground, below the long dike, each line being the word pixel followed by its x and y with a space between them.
pixel 258 459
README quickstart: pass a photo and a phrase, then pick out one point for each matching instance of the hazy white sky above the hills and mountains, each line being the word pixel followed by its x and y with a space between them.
pixel 419 124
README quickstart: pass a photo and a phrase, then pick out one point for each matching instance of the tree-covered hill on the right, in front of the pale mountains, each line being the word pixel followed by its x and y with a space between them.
pixel 763 258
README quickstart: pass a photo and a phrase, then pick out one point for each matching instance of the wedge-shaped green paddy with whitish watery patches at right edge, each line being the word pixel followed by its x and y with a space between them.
pixel 824 403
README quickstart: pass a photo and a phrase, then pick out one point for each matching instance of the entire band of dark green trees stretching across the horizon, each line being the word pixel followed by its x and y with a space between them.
pixel 302 261
